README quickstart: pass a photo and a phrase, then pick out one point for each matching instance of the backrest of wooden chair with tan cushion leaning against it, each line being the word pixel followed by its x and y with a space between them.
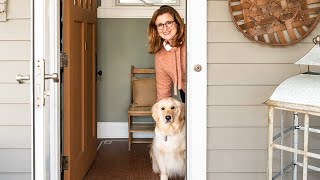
pixel 143 87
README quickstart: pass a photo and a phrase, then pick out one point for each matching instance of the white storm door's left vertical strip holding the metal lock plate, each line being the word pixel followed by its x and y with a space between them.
pixel 38 44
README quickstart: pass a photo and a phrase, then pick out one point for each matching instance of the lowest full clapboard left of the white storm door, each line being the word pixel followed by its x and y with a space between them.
pixel 15 160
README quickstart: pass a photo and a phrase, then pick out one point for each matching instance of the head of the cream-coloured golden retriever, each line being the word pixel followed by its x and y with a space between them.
pixel 168 111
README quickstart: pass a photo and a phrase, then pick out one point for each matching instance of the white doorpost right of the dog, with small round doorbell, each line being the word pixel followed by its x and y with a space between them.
pixel 197 90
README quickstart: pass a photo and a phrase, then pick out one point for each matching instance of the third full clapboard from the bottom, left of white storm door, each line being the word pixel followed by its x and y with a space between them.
pixel 15 114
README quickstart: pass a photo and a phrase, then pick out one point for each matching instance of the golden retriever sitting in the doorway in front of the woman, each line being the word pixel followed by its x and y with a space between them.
pixel 169 143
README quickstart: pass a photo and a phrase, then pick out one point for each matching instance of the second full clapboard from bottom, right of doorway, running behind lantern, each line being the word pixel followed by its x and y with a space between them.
pixel 252 138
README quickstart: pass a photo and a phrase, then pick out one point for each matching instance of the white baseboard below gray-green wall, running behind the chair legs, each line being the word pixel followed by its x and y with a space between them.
pixel 117 130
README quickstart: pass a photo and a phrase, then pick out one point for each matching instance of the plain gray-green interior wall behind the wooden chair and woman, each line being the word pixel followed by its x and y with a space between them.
pixel 121 43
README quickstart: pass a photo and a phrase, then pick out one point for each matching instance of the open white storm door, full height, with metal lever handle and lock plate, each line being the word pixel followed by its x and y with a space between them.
pixel 46 89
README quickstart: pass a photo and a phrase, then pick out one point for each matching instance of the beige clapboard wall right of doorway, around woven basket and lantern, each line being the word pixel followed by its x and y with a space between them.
pixel 242 75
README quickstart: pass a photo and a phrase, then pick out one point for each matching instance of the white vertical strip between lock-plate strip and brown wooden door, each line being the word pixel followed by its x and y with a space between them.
pixel 54 115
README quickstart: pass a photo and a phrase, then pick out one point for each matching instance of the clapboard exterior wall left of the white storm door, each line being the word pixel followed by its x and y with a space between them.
pixel 15 121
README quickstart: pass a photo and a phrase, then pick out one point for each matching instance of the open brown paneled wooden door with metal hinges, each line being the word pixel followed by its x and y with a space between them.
pixel 79 91
